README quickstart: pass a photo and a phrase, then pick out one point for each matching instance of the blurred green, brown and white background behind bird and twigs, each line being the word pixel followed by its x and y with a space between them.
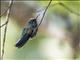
pixel 58 37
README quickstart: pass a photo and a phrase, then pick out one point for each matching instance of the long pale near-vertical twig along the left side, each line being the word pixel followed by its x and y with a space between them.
pixel 7 18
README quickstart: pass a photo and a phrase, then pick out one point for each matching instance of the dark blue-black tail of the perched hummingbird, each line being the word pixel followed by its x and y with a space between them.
pixel 22 41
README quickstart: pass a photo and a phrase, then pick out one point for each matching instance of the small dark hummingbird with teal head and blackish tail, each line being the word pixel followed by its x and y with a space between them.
pixel 29 31
